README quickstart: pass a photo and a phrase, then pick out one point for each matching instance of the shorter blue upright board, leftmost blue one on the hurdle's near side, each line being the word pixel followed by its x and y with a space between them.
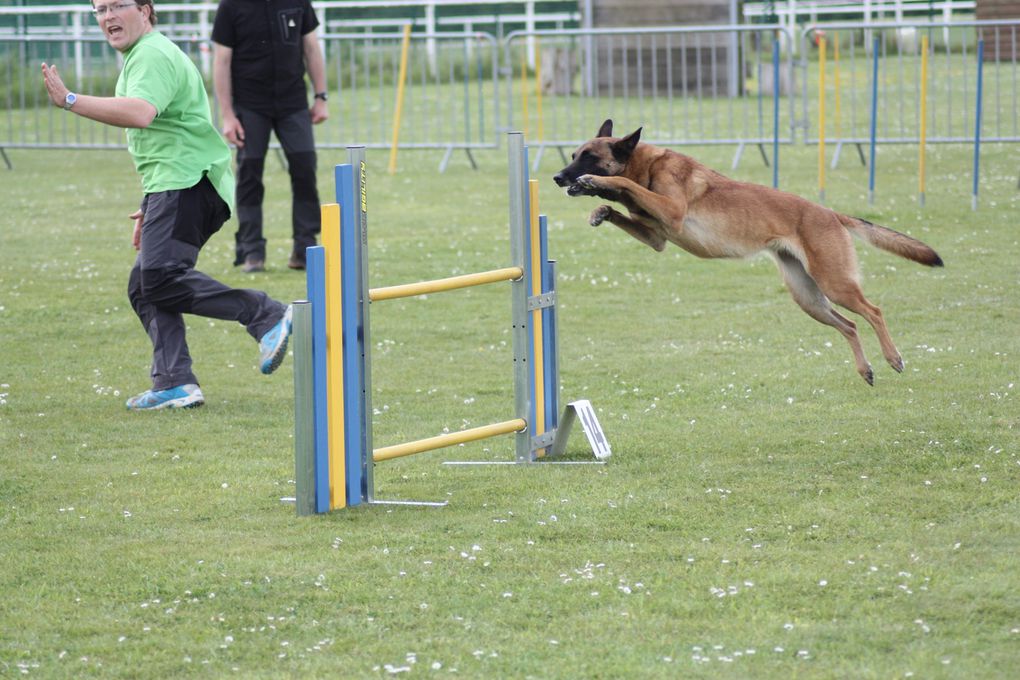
pixel 317 296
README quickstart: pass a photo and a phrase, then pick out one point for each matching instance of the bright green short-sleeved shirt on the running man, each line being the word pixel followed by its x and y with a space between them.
pixel 182 144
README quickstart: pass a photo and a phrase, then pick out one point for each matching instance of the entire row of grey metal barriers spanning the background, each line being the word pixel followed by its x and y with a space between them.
pixel 724 85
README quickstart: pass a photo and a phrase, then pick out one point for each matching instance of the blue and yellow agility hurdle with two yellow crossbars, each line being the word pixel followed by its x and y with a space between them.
pixel 334 446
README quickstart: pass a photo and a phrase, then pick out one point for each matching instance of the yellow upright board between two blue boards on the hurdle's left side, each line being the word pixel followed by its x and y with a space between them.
pixel 334 357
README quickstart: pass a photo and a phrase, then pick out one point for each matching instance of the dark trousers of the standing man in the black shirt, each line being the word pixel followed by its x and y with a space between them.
pixel 295 135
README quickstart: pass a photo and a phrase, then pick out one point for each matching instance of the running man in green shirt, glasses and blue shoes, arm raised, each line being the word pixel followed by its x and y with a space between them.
pixel 188 194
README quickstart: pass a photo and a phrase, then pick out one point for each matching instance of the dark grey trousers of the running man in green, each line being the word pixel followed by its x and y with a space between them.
pixel 164 284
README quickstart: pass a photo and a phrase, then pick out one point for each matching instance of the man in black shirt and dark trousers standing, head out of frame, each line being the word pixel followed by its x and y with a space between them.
pixel 263 49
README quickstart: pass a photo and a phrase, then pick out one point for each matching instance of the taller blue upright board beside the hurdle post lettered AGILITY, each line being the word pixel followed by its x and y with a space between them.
pixel 350 232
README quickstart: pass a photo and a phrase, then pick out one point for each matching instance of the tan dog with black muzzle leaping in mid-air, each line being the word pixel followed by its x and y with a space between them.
pixel 673 198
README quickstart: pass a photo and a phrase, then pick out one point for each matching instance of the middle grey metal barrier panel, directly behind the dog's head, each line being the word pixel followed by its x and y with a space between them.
pixel 691 85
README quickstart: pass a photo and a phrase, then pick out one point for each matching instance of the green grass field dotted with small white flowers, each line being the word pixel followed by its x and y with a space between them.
pixel 766 514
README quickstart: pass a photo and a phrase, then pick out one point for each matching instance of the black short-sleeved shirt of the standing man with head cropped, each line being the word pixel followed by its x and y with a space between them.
pixel 268 68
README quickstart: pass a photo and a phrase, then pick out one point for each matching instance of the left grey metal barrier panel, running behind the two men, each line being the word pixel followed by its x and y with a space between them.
pixel 452 101
